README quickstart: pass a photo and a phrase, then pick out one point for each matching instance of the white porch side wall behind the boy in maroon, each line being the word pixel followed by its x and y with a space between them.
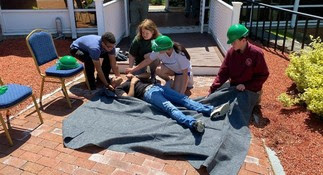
pixel 222 16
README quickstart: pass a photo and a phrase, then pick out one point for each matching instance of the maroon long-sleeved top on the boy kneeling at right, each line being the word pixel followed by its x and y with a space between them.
pixel 248 68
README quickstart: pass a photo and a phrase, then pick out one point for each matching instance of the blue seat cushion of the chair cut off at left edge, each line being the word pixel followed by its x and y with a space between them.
pixel 15 94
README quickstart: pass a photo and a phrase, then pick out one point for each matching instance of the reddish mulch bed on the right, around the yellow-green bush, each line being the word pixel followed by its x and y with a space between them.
pixel 294 133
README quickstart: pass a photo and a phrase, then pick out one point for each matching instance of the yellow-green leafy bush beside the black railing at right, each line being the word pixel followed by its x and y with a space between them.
pixel 306 70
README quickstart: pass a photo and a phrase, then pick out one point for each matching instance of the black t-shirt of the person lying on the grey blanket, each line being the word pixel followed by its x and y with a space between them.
pixel 139 89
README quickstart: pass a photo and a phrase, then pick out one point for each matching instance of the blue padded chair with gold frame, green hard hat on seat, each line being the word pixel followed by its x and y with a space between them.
pixel 42 48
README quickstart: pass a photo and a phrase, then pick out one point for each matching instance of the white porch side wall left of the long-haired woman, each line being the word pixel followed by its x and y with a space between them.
pixel 114 18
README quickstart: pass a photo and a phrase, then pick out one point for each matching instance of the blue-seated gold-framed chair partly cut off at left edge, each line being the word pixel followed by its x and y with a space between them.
pixel 12 96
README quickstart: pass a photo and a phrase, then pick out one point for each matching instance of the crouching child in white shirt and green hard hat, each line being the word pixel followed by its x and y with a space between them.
pixel 175 62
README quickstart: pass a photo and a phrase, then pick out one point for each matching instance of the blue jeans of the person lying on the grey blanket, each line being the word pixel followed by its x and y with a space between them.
pixel 164 97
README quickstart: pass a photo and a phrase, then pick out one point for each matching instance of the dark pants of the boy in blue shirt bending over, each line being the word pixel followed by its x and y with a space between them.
pixel 89 66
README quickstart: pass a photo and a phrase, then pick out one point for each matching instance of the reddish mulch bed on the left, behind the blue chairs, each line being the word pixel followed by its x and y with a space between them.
pixel 17 66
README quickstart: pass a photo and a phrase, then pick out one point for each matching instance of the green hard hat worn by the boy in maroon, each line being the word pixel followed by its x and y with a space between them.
pixel 235 32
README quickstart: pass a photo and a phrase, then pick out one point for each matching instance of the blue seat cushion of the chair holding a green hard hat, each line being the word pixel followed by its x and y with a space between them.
pixel 52 71
